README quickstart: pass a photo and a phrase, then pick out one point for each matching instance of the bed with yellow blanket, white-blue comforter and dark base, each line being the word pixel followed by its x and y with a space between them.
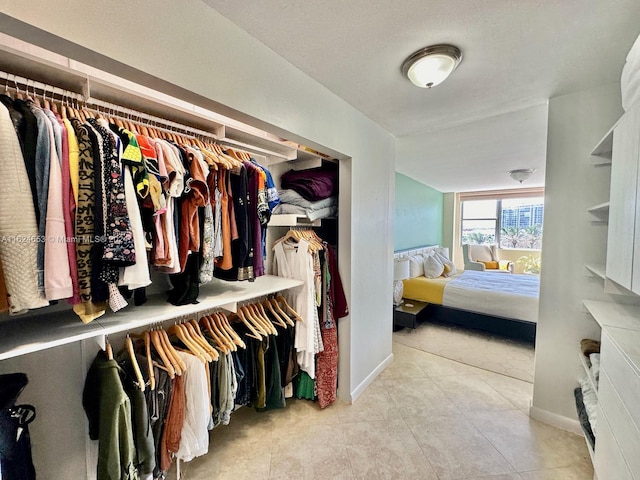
pixel 503 304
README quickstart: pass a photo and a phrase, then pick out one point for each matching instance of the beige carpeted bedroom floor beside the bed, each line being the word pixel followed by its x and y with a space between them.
pixel 472 347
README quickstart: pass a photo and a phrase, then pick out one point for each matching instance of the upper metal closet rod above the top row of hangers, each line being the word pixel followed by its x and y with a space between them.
pixel 51 91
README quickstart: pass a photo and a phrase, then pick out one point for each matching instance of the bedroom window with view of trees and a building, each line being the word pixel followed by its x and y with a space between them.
pixel 506 220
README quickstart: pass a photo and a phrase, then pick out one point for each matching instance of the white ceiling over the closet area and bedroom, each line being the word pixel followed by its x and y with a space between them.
pixel 517 54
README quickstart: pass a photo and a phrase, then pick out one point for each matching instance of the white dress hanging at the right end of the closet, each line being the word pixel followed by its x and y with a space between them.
pixel 292 260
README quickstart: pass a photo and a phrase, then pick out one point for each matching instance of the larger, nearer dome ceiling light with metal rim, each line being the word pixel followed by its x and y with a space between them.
pixel 432 65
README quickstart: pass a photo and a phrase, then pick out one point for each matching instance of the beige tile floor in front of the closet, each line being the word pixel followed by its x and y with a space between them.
pixel 425 417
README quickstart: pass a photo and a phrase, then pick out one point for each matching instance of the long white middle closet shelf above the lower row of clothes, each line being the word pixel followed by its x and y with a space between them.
pixel 40 330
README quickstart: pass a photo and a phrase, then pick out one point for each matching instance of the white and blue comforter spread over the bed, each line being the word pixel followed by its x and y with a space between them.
pixel 502 295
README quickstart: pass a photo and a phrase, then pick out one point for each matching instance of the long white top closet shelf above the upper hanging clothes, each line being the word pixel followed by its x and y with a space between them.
pixel 97 87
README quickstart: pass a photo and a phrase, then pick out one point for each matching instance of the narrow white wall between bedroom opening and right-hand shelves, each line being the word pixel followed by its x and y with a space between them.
pixel 576 124
